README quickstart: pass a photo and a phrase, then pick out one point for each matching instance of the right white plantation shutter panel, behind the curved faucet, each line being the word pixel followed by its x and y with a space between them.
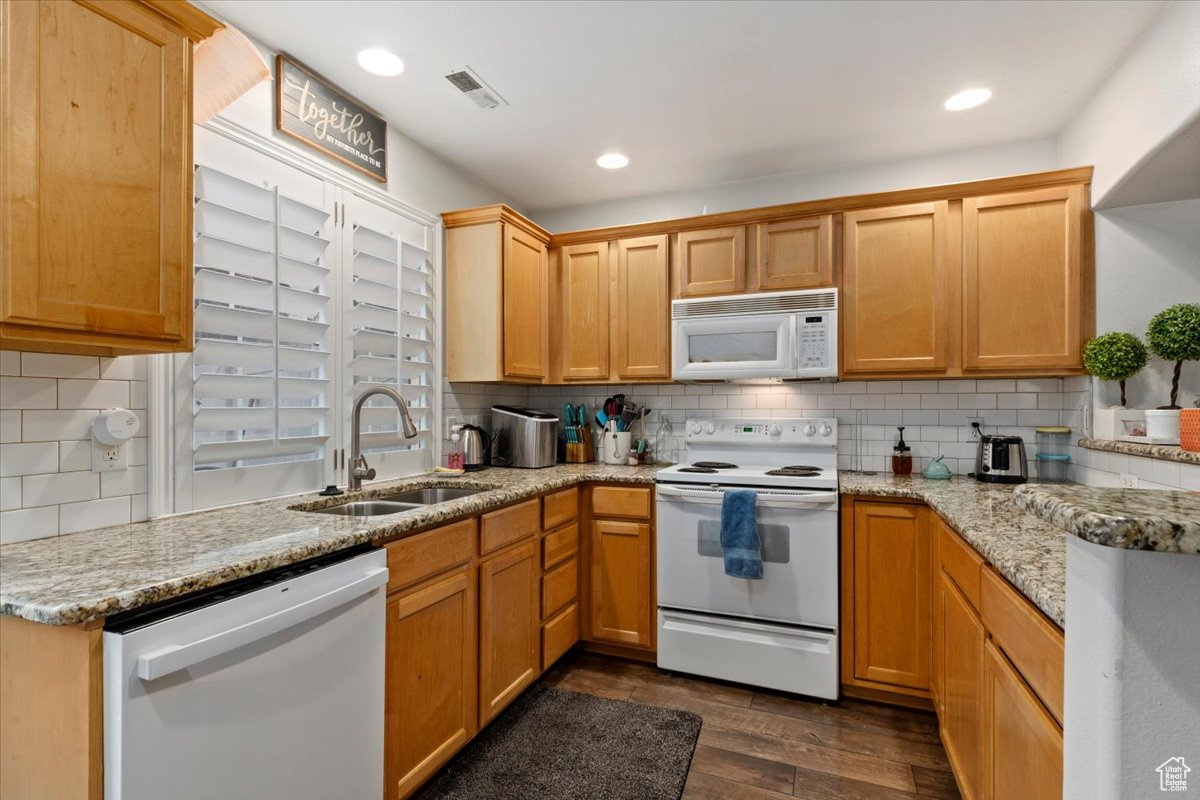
pixel 389 323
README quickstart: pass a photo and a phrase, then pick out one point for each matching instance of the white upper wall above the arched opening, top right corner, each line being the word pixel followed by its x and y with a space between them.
pixel 1154 94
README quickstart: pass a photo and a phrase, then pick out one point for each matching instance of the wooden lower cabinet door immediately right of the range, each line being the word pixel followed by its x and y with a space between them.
pixel 892 594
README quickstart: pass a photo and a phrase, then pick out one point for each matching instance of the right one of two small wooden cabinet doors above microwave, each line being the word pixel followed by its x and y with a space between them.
pixel 795 254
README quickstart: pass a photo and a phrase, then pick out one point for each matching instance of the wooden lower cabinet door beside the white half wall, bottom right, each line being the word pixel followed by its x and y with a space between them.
pixel 1022 742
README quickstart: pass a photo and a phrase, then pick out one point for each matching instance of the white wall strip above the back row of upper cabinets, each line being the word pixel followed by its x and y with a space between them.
pixel 953 167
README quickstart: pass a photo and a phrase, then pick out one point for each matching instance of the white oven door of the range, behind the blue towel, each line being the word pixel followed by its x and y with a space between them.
pixel 799 536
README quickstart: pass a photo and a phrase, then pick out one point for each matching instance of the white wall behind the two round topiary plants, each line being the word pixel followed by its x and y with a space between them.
pixel 1148 257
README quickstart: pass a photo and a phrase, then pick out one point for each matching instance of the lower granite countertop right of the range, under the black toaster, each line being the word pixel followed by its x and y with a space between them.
pixel 1023 548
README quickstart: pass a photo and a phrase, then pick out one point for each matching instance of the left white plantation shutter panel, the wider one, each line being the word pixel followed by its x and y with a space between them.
pixel 261 372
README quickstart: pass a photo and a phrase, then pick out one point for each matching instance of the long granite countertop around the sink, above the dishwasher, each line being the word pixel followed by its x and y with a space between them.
pixel 87 576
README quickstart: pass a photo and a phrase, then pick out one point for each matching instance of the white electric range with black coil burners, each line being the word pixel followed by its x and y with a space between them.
pixel 779 633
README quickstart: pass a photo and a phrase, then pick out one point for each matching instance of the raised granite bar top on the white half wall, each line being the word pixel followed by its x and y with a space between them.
pixel 1137 520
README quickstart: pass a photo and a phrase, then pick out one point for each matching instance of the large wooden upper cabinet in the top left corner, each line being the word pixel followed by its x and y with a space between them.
pixel 97 177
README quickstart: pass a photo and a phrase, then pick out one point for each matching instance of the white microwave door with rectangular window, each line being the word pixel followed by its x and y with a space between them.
pixel 731 348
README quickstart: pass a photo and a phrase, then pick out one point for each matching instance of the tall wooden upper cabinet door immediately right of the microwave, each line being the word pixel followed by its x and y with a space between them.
pixel 897 281
